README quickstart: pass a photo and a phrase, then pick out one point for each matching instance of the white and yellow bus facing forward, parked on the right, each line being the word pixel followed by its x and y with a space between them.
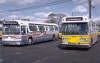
pixel 78 31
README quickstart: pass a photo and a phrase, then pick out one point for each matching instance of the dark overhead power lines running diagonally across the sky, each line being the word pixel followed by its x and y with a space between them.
pixel 40 6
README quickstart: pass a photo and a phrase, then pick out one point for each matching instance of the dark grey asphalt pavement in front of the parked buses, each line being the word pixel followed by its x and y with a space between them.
pixel 50 52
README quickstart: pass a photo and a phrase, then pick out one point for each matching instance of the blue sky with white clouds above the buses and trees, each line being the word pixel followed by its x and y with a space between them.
pixel 38 10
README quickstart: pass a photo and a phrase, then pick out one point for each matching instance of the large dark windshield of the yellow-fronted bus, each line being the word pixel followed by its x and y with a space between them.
pixel 74 28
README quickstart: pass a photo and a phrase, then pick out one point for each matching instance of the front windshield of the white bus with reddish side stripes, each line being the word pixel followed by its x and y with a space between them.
pixel 11 29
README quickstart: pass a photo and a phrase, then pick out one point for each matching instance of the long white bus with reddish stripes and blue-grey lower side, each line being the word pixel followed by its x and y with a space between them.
pixel 20 32
